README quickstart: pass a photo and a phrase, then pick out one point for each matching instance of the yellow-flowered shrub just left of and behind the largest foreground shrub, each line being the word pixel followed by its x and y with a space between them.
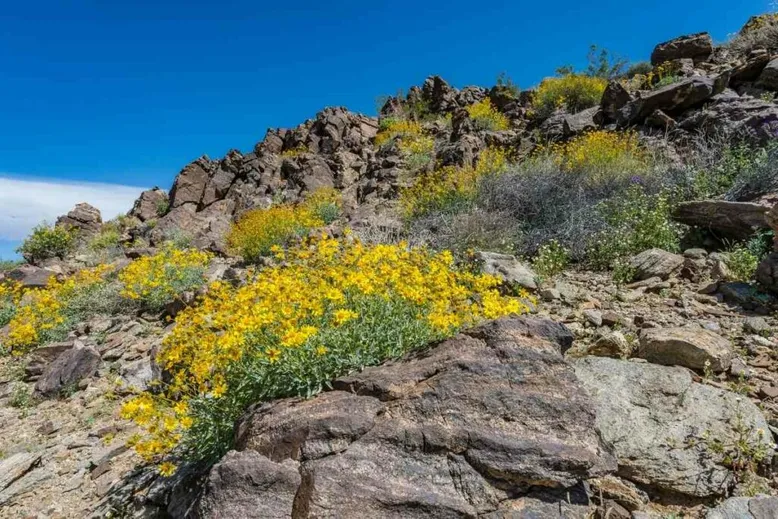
pixel 155 281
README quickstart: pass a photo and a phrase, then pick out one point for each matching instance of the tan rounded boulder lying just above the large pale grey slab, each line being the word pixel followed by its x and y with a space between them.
pixel 687 346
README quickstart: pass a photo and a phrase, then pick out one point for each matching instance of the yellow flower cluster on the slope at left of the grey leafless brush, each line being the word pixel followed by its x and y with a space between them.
pixel 450 185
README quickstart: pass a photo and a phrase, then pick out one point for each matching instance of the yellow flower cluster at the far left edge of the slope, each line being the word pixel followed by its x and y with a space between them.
pixel 42 309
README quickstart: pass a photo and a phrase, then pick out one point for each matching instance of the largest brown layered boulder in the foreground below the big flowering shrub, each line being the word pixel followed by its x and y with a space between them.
pixel 441 433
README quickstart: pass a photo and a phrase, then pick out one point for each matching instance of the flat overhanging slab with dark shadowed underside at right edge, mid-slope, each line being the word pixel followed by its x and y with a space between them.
pixel 734 220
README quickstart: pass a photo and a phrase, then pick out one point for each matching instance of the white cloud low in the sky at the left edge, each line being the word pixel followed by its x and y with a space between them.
pixel 25 203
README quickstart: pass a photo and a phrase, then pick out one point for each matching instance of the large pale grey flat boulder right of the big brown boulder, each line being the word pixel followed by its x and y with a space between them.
pixel 651 414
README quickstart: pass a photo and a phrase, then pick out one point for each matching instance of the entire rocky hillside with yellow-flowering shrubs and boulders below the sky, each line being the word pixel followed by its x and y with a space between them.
pixel 486 302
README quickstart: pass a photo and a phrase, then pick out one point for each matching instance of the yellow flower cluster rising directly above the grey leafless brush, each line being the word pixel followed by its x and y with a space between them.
pixel 600 154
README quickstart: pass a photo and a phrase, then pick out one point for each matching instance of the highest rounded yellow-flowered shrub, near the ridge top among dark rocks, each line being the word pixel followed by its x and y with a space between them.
pixel 575 92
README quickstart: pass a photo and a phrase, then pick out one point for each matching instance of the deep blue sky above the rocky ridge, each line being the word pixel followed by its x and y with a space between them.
pixel 129 92
